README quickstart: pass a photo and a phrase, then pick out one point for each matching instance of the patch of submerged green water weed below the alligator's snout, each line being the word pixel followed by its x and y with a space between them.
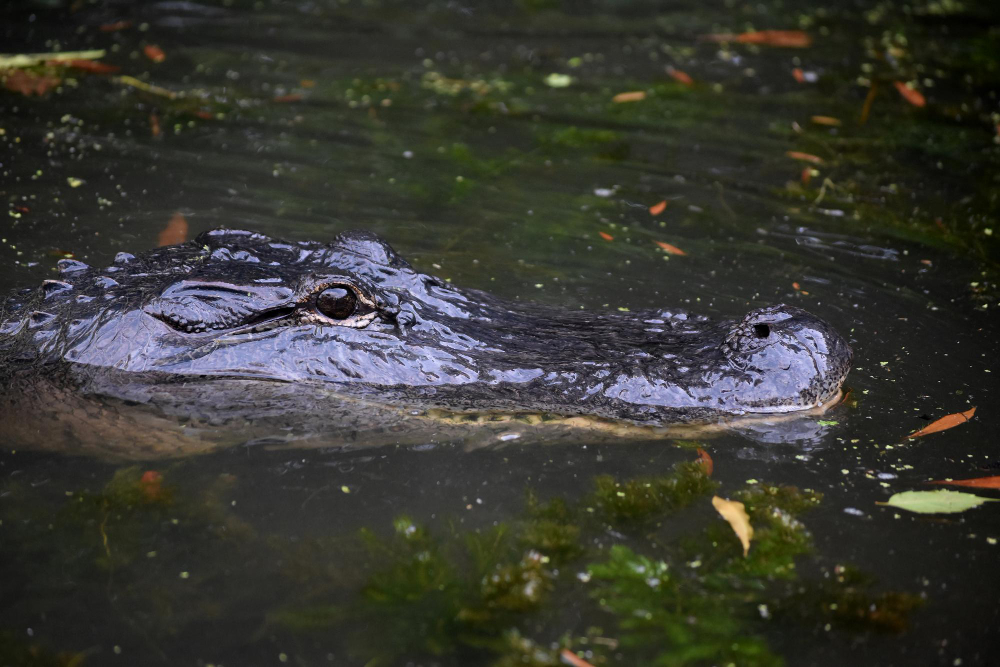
pixel 693 600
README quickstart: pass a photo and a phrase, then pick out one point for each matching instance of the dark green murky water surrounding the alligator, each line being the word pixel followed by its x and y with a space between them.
pixel 440 128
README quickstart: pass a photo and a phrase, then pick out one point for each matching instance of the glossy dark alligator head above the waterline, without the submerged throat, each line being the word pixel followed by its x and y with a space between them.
pixel 353 313
